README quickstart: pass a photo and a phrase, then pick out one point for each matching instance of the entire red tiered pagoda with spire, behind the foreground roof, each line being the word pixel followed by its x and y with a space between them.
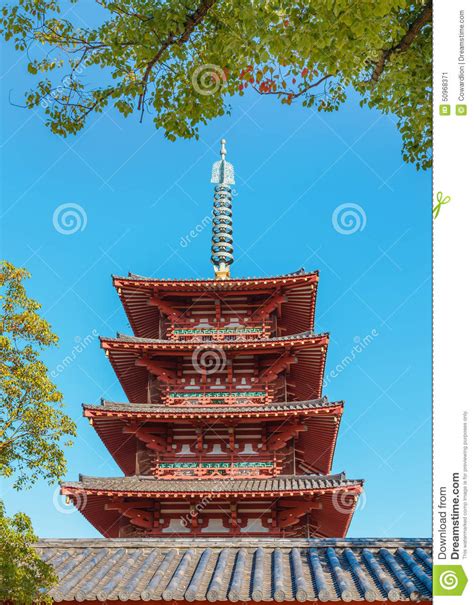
pixel 226 432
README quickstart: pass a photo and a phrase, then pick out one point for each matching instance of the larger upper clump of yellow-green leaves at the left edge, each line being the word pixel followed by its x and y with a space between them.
pixel 33 427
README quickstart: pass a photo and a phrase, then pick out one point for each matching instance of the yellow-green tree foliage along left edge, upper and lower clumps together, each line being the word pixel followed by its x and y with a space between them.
pixel 33 431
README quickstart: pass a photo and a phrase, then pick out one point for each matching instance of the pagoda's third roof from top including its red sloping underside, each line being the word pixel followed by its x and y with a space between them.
pixel 315 445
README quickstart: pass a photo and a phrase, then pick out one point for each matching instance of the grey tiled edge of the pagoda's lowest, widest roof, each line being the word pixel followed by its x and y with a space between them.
pixel 150 487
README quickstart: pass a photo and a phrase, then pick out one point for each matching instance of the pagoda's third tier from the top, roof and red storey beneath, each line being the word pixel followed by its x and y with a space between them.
pixel 139 435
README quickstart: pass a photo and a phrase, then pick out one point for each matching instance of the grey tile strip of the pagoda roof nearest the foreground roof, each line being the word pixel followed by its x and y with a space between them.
pixel 150 484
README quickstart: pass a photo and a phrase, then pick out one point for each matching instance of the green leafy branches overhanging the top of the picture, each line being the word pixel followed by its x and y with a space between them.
pixel 183 61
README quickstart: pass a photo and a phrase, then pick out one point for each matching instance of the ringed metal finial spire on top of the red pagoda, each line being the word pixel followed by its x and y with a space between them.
pixel 222 249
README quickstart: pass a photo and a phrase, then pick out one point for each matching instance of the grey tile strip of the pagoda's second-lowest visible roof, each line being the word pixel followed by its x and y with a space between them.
pixel 154 408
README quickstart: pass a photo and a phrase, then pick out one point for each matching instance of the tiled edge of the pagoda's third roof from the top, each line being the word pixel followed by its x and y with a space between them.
pixel 152 411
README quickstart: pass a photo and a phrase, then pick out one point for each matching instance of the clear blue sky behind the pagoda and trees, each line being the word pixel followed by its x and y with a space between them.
pixel 140 195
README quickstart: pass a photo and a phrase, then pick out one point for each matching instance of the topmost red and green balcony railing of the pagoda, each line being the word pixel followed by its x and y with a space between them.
pixel 248 330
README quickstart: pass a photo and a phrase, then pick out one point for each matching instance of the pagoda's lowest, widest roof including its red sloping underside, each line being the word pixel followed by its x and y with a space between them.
pixel 338 495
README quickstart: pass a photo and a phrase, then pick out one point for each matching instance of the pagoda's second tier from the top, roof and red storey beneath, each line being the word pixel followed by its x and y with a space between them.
pixel 148 369
